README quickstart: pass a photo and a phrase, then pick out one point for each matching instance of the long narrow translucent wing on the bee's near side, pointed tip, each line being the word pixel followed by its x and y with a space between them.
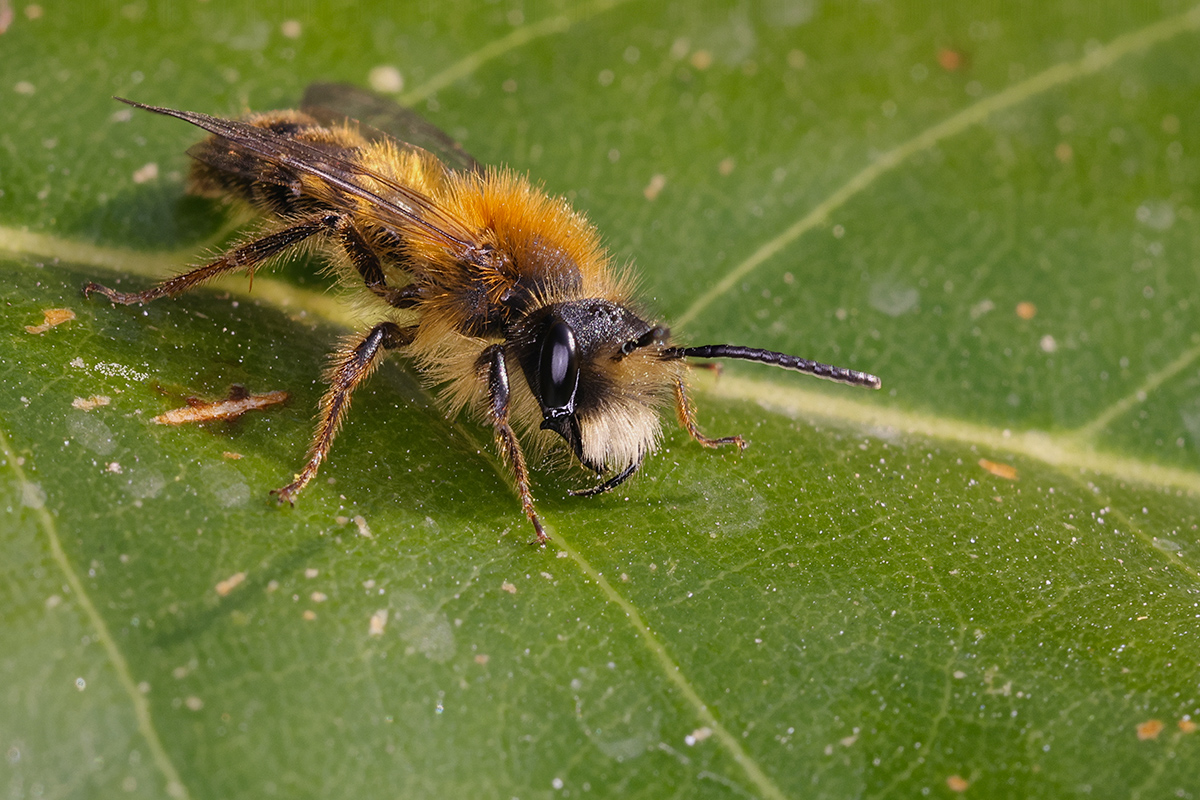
pixel 405 208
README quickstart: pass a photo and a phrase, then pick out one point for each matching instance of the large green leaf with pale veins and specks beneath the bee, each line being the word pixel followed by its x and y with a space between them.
pixel 993 210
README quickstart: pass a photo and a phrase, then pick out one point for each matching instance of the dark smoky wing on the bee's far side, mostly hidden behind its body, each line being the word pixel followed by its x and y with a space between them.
pixel 380 118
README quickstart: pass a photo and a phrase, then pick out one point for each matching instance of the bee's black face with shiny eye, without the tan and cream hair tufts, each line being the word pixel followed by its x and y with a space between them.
pixel 559 348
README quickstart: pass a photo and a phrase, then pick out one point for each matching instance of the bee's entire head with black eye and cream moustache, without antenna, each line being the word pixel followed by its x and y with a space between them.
pixel 599 374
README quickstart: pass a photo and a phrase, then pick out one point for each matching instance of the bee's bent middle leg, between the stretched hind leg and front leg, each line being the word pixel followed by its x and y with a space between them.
pixel 351 368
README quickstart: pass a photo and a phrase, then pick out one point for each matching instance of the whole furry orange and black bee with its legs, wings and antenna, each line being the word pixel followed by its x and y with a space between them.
pixel 500 294
